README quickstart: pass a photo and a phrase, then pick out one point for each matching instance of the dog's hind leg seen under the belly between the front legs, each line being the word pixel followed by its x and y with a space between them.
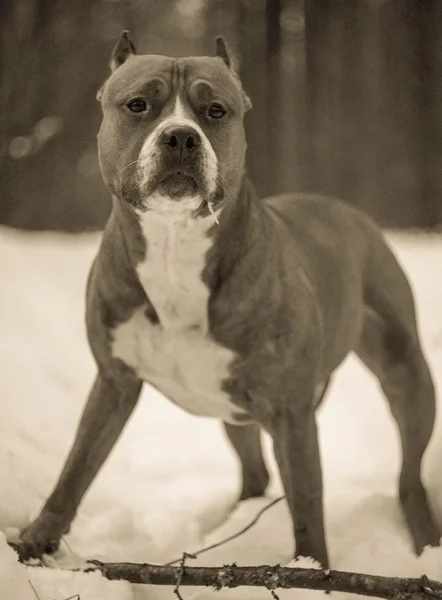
pixel 246 441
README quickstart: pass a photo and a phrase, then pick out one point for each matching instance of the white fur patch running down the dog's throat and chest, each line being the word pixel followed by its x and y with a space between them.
pixel 177 356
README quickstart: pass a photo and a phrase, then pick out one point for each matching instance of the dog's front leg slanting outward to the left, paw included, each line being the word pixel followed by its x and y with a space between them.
pixel 108 408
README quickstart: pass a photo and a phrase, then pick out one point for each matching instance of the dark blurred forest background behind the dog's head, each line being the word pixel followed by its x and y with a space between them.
pixel 347 99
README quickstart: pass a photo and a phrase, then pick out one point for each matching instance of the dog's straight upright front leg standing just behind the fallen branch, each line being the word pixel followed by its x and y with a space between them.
pixel 297 454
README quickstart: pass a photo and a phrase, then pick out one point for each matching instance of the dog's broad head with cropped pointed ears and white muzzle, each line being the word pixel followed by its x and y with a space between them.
pixel 172 134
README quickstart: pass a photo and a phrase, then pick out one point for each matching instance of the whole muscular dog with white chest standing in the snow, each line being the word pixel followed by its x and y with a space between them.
pixel 234 307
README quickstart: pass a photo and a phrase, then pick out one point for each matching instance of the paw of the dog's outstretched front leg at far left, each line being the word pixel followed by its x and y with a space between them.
pixel 40 537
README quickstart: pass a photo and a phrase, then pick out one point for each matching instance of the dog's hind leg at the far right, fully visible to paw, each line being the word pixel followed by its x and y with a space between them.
pixel 391 350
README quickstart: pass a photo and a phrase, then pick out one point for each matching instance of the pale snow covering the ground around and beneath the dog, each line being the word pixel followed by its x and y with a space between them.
pixel 171 482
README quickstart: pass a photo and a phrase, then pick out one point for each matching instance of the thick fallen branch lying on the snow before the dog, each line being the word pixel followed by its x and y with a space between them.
pixel 273 577
